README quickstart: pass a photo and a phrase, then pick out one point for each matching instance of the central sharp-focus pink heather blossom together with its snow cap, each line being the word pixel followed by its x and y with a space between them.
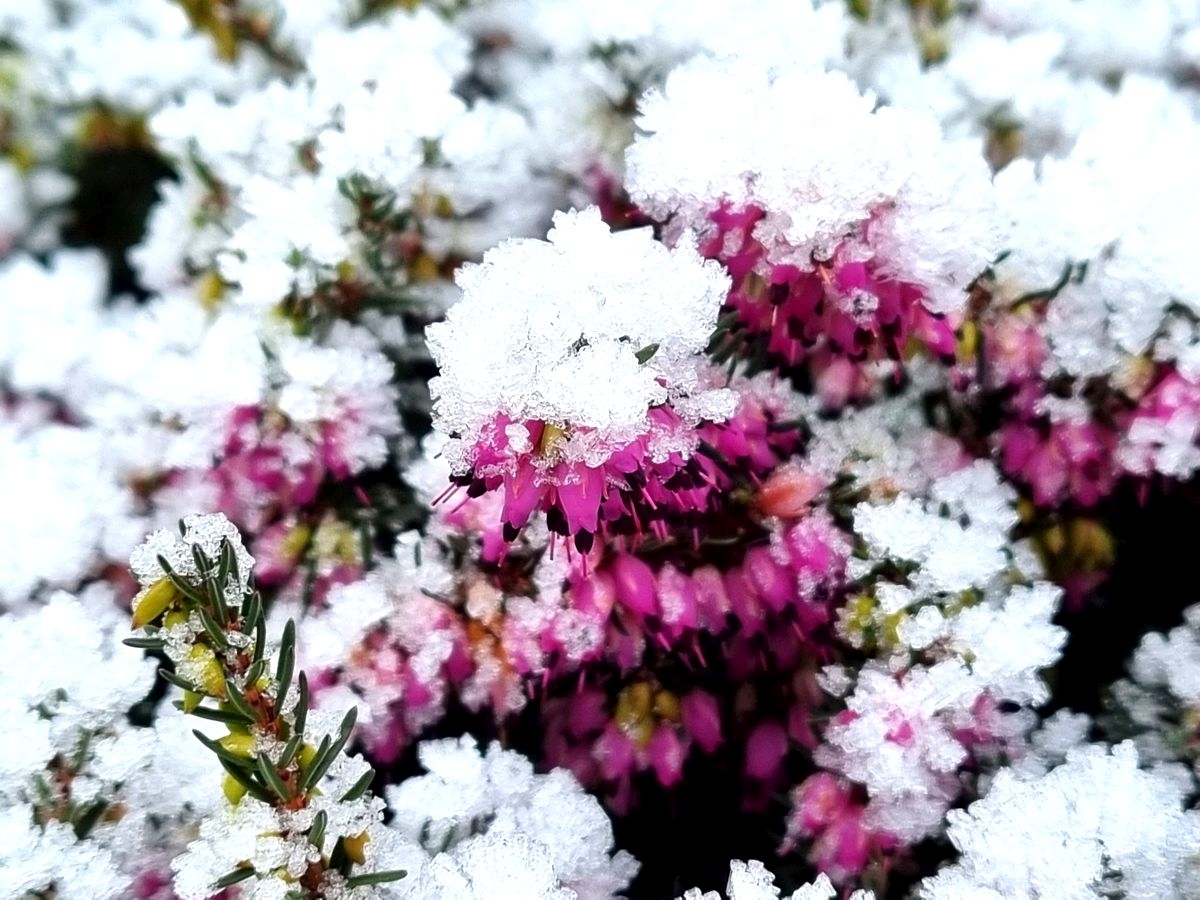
pixel 617 397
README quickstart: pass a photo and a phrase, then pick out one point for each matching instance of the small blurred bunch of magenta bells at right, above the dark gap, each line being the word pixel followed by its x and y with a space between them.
pixel 1061 463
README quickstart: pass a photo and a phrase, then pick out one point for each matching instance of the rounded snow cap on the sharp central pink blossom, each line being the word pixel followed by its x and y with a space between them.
pixel 561 332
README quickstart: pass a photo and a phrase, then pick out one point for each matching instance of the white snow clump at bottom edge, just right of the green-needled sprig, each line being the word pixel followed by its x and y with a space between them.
pixel 502 831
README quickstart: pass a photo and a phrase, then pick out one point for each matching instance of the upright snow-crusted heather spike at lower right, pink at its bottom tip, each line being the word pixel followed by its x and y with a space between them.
pixel 957 635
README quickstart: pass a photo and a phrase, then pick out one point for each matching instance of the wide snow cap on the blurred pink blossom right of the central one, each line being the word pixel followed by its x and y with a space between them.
pixel 716 135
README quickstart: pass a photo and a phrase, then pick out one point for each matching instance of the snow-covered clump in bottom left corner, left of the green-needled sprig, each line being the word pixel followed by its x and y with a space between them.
pixel 91 805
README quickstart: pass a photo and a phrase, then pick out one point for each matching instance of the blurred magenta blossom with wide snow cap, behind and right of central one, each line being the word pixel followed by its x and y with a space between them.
pixel 845 250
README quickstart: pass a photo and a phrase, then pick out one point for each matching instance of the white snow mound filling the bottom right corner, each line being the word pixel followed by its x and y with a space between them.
pixel 1097 826
